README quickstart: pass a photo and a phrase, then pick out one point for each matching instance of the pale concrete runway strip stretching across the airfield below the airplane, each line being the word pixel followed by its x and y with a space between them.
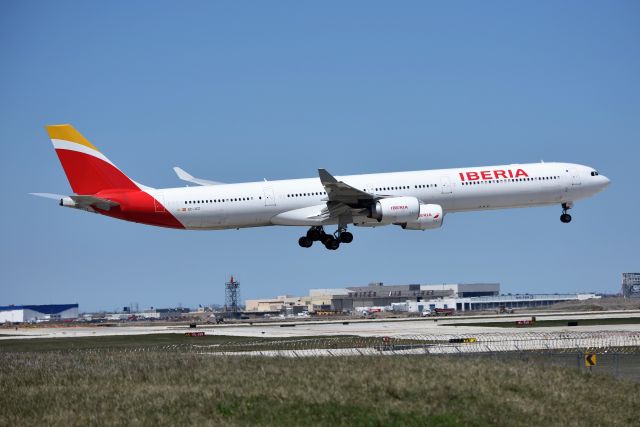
pixel 397 328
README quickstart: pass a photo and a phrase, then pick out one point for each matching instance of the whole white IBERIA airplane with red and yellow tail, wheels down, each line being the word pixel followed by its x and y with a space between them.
pixel 416 200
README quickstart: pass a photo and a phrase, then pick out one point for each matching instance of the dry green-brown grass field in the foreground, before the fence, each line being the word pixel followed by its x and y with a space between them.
pixel 110 384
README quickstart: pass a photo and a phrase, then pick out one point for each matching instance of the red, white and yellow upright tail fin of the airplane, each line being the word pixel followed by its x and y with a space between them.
pixel 87 169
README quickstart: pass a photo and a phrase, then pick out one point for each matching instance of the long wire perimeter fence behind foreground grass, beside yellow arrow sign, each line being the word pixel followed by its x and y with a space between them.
pixel 613 352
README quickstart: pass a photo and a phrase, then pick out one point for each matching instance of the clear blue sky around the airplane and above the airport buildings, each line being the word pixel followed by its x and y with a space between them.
pixel 240 91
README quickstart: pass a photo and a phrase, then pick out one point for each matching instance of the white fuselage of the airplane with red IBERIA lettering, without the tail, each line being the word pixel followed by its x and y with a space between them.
pixel 295 201
